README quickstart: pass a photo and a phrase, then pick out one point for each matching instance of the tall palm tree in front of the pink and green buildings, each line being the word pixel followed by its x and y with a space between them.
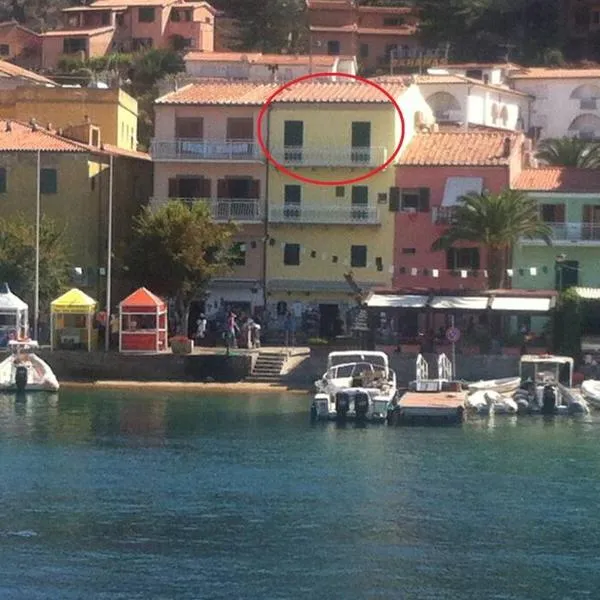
pixel 496 222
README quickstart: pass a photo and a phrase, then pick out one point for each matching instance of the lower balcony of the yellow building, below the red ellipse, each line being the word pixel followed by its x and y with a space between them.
pixel 332 215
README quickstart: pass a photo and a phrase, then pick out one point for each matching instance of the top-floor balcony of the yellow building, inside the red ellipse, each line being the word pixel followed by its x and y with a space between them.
pixel 299 156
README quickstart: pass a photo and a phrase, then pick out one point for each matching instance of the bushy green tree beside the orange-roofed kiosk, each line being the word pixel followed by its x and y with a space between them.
pixel 176 250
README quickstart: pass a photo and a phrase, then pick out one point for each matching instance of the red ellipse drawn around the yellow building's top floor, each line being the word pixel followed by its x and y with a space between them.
pixel 287 171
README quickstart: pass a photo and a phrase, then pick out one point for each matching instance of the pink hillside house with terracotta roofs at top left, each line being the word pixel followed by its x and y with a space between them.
pixel 106 26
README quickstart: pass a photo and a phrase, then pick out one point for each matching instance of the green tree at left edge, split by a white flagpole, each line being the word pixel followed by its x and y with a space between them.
pixel 17 258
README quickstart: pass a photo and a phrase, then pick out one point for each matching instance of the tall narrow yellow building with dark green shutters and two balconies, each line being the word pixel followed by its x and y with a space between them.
pixel 317 233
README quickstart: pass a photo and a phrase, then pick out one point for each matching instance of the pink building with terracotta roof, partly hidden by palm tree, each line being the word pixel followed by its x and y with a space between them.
pixel 434 171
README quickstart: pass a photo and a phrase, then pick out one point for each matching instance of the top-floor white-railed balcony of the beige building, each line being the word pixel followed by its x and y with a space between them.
pixel 189 149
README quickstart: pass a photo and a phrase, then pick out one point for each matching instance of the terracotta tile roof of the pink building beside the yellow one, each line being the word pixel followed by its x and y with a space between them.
pixel 481 149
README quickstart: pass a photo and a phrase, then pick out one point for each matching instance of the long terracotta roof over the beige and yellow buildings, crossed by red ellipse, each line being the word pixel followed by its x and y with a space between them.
pixel 255 94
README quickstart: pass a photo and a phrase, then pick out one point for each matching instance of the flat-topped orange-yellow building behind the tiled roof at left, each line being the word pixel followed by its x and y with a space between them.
pixel 112 110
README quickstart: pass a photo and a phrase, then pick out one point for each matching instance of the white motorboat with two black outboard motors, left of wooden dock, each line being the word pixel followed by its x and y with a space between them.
pixel 358 385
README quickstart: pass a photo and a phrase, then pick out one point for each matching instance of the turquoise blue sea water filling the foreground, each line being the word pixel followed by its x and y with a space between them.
pixel 158 496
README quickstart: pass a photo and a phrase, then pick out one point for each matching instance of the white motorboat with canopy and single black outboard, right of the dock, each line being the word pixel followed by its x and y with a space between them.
pixel 547 386
